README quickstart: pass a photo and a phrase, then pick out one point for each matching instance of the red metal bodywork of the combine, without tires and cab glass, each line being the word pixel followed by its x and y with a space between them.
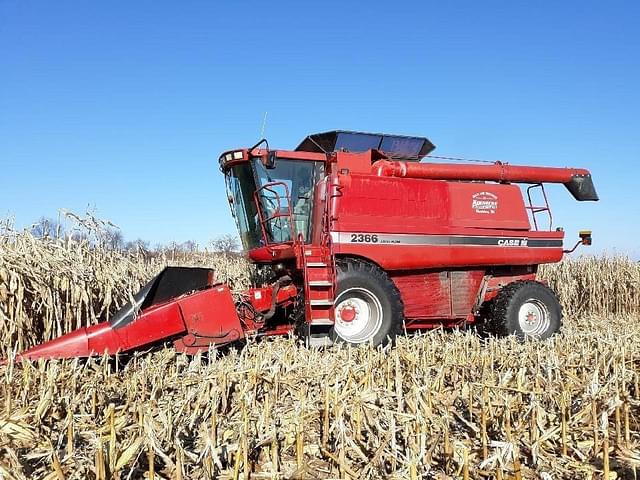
pixel 449 236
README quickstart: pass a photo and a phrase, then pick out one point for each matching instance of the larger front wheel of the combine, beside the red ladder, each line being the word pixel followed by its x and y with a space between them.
pixel 367 292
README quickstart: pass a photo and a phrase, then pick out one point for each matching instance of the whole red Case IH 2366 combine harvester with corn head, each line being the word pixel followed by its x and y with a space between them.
pixel 364 240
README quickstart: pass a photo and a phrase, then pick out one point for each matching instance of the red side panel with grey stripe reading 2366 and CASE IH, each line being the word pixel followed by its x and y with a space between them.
pixel 408 224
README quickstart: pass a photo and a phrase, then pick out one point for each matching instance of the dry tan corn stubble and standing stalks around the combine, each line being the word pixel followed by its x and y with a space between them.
pixel 438 405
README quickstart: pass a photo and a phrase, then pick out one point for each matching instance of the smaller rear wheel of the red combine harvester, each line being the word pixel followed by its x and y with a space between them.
pixel 526 309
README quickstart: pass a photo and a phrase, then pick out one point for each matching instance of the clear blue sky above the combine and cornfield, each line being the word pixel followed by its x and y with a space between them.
pixel 125 106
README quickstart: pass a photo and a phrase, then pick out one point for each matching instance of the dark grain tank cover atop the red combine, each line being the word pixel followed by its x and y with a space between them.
pixel 394 146
